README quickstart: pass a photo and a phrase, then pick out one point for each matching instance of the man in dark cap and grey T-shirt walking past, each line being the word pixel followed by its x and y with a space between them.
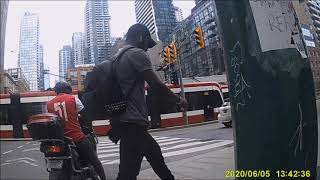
pixel 132 70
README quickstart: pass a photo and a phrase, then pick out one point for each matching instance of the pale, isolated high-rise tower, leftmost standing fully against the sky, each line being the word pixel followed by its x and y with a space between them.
pixel 29 50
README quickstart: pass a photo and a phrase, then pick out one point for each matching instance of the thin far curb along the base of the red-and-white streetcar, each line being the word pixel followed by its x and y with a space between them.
pixel 150 130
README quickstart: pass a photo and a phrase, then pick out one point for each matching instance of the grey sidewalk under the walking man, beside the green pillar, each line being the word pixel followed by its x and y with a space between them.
pixel 212 165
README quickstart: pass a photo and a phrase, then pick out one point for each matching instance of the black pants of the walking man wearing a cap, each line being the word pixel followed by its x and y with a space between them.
pixel 136 143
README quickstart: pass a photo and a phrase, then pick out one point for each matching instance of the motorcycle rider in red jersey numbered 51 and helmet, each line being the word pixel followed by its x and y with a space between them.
pixel 67 107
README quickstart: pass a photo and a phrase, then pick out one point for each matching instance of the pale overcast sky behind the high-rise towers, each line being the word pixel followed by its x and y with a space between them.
pixel 59 19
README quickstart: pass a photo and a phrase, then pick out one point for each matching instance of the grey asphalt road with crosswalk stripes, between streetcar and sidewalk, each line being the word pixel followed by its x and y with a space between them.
pixel 23 160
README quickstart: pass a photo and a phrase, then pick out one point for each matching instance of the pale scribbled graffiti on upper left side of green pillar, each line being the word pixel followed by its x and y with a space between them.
pixel 241 90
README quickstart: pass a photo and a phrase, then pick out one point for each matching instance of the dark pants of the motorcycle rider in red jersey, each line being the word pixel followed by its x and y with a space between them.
pixel 86 152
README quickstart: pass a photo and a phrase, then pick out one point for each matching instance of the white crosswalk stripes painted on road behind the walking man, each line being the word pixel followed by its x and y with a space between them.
pixel 108 152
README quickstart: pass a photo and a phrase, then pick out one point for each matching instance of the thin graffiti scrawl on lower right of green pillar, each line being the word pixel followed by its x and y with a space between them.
pixel 298 135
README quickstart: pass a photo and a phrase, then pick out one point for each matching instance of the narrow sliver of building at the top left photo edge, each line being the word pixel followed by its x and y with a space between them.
pixel 3 22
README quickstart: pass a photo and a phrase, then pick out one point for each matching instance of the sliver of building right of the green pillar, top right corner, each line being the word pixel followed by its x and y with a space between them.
pixel 308 13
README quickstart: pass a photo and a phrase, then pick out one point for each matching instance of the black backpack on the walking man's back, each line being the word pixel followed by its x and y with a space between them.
pixel 103 96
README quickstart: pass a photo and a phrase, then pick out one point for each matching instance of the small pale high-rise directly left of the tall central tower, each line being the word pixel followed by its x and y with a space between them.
pixel 78 48
